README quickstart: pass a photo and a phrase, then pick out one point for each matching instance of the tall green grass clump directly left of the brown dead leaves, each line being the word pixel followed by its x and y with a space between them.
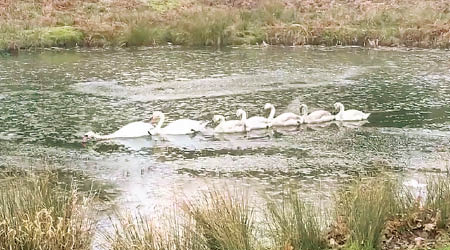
pixel 365 209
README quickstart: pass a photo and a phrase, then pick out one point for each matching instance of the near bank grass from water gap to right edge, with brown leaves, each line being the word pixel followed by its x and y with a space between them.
pixel 370 214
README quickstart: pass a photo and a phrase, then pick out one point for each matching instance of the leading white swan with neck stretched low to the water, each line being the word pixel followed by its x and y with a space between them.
pixel 134 129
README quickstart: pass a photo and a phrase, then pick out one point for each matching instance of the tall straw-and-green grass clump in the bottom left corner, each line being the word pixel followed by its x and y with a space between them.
pixel 37 213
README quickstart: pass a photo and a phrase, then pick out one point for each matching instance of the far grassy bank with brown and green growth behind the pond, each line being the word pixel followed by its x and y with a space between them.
pixel 38 23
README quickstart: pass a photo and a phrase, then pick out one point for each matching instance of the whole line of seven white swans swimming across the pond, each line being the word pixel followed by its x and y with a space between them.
pixel 244 124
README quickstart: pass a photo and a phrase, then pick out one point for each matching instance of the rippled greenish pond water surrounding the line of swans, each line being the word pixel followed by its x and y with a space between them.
pixel 49 99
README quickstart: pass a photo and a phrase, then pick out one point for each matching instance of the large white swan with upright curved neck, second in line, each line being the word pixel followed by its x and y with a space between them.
pixel 178 127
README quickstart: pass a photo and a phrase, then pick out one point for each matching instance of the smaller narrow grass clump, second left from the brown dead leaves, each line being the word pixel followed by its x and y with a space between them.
pixel 295 225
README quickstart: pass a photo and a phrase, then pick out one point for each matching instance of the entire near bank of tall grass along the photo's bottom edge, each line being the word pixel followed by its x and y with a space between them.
pixel 38 211
